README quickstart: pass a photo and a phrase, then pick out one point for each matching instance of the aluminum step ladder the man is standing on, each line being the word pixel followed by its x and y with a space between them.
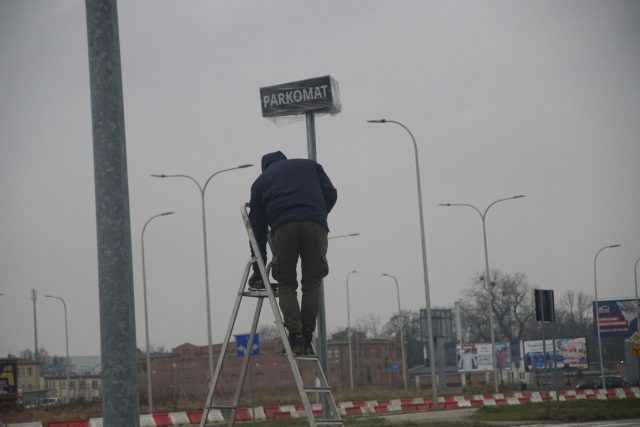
pixel 330 414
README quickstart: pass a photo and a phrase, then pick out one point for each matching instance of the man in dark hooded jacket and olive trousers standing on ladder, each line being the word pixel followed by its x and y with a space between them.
pixel 293 197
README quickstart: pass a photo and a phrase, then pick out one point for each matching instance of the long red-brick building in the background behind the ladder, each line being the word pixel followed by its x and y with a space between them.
pixel 183 372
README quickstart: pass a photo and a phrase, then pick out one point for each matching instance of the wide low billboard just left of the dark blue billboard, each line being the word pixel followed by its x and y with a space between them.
pixel 570 352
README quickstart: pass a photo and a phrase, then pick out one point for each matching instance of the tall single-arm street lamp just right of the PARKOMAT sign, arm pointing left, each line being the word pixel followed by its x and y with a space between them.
pixel 434 390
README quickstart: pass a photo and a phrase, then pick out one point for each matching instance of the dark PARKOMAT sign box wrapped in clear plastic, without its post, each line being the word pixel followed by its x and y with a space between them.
pixel 318 95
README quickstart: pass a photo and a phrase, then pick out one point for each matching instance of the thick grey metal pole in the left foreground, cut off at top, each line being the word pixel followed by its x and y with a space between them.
pixel 115 269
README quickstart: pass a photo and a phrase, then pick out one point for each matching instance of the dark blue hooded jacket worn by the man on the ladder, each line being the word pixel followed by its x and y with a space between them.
pixel 289 190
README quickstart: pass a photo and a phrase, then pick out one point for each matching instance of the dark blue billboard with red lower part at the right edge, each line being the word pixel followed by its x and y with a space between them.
pixel 617 318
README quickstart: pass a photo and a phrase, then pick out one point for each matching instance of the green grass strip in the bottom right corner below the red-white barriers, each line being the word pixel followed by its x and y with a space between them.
pixel 575 411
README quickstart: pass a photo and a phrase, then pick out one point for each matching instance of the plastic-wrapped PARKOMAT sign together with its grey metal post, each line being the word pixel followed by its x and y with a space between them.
pixel 308 97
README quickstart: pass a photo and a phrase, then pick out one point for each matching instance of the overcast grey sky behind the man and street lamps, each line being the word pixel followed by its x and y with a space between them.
pixel 534 97
